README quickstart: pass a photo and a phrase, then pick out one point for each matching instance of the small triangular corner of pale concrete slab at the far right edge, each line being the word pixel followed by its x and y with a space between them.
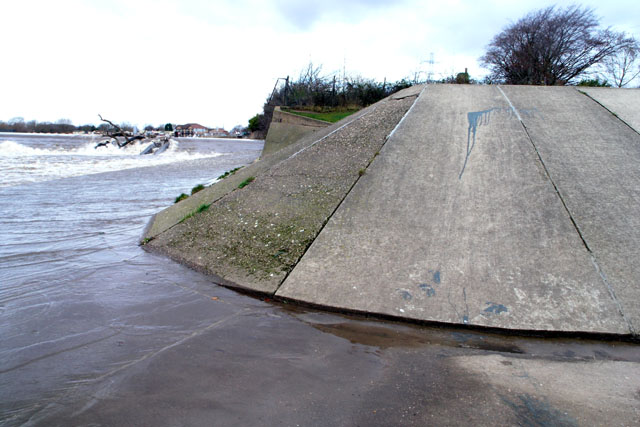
pixel 624 103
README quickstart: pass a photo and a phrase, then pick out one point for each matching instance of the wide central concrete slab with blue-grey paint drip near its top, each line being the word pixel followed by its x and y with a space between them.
pixel 457 221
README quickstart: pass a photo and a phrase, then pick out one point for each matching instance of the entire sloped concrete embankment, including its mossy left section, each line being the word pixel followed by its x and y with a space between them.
pixel 494 206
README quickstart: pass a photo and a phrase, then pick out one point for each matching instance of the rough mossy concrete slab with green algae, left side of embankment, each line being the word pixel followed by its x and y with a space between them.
pixel 253 237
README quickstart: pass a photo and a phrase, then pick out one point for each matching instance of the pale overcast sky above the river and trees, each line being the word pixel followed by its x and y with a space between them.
pixel 215 62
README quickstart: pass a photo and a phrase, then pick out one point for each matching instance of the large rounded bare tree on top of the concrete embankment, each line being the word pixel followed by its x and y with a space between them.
pixel 552 47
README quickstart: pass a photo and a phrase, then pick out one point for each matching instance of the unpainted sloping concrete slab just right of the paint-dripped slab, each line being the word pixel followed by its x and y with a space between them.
pixel 593 159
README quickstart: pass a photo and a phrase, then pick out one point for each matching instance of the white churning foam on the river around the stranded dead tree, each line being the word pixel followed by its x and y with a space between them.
pixel 21 164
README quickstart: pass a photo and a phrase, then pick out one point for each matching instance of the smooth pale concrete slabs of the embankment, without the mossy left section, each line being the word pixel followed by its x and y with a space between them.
pixel 498 206
